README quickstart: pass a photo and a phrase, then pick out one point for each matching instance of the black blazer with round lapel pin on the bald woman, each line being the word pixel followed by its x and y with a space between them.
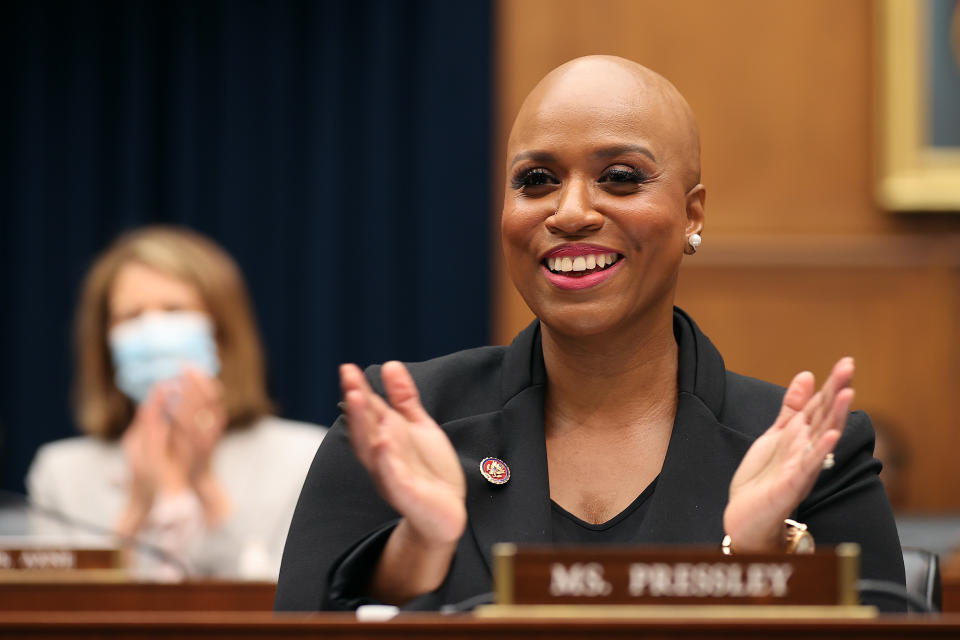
pixel 490 403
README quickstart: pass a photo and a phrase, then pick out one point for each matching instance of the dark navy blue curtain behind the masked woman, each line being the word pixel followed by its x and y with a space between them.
pixel 338 150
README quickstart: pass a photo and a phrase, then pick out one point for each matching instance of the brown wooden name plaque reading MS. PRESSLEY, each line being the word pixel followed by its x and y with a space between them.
pixel 673 576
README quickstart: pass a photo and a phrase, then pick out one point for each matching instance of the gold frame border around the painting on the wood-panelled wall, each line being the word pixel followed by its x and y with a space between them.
pixel 914 175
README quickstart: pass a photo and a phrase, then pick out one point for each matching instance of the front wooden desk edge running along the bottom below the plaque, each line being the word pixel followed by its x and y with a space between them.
pixel 213 626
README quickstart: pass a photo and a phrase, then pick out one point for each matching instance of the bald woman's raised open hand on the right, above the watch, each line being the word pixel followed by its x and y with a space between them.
pixel 782 465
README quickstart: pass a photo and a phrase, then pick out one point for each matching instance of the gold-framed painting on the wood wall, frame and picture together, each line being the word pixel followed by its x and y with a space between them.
pixel 919 110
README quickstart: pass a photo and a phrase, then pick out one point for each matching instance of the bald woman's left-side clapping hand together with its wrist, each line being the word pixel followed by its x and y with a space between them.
pixel 416 470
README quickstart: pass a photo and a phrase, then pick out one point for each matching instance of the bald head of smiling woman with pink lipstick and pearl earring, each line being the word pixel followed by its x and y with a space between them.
pixel 583 169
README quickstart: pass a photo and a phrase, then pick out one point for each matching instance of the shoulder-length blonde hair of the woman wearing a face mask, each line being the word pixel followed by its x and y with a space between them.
pixel 101 409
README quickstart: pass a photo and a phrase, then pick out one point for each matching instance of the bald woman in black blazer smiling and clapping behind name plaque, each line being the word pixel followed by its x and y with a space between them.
pixel 610 419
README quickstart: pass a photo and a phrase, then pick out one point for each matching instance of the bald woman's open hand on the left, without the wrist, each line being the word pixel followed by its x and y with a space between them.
pixel 411 460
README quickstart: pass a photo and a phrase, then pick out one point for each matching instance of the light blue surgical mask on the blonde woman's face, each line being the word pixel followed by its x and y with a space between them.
pixel 157 346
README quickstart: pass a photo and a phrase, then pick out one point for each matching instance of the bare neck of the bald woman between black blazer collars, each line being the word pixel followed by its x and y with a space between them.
pixel 622 379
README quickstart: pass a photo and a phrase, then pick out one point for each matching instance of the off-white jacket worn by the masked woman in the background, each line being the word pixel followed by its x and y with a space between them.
pixel 261 468
